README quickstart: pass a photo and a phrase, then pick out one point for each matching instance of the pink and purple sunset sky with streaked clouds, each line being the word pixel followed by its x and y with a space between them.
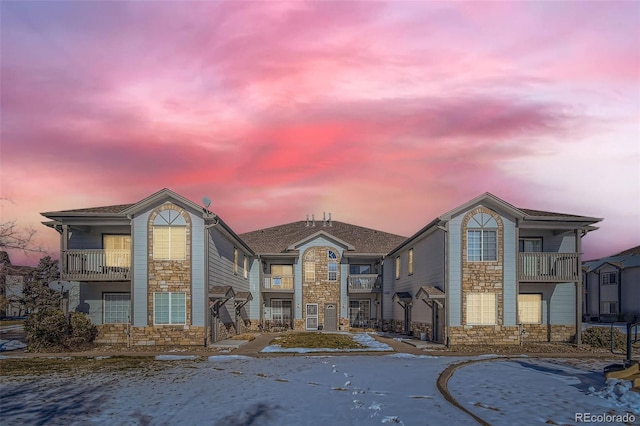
pixel 385 114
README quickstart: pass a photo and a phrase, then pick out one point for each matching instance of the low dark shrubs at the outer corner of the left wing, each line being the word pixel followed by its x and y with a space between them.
pixel 48 330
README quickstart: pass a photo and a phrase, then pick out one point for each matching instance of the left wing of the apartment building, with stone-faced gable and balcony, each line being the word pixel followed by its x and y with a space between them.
pixel 160 271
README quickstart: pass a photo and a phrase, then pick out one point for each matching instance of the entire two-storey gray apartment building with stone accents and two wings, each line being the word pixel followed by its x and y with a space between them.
pixel 167 271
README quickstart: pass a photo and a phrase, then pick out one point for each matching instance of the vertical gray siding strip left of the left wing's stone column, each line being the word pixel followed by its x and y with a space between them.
pixel 140 273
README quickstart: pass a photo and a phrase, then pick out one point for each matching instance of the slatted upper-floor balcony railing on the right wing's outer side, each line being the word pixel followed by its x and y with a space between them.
pixel 548 267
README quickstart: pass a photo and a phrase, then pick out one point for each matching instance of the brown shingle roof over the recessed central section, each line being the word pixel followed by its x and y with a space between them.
pixel 277 238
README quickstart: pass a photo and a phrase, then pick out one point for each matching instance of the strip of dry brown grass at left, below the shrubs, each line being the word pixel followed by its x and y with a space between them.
pixel 77 365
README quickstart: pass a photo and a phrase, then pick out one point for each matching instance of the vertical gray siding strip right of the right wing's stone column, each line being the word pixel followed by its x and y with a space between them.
pixel 510 246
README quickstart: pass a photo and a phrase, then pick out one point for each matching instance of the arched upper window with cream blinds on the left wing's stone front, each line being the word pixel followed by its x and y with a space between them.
pixel 169 236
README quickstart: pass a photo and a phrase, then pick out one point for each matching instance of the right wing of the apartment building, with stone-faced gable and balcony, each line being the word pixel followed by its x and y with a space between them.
pixel 488 272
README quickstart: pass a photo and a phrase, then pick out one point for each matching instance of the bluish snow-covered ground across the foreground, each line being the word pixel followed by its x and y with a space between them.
pixel 318 390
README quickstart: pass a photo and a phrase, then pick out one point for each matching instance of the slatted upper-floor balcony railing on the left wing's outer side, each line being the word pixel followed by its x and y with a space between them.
pixel 96 265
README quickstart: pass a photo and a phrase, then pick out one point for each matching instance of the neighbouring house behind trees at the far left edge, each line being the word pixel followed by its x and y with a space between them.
pixel 12 286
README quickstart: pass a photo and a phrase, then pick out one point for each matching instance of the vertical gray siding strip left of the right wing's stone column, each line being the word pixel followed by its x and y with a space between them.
pixel 455 271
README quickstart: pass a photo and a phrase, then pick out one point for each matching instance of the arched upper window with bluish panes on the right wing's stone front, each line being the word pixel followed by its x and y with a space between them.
pixel 482 240
